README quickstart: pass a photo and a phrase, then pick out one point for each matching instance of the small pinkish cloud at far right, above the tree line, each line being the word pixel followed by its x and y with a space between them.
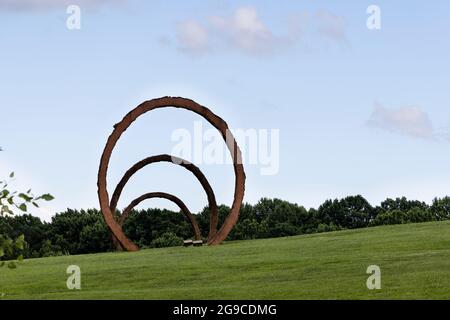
pixel 411 121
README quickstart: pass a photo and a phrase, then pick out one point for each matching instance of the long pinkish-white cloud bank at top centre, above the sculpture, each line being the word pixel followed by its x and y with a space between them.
pixel 245 31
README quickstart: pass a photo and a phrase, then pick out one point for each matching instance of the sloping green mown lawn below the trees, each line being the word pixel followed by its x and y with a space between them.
pixel 414 261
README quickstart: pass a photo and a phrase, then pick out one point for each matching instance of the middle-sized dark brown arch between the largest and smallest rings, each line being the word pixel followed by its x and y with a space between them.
pixel 175 160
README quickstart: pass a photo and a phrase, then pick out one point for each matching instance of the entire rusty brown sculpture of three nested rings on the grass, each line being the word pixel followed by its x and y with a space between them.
pixel 108 209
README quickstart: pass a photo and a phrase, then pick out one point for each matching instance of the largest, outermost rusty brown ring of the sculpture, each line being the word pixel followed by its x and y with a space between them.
pixel 217 122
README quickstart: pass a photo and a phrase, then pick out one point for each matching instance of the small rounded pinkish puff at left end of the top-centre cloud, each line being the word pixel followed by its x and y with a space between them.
pixel 192 37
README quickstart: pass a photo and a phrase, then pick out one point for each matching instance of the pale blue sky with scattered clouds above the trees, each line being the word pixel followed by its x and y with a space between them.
pixel 359 111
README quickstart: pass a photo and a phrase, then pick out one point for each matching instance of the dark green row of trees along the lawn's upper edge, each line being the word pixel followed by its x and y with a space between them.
pixel 84 231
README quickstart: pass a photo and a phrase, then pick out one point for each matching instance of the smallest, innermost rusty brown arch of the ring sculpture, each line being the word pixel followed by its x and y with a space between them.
pixel 177 201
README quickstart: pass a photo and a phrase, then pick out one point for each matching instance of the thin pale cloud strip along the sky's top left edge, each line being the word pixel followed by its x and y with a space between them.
pixel 29 5
